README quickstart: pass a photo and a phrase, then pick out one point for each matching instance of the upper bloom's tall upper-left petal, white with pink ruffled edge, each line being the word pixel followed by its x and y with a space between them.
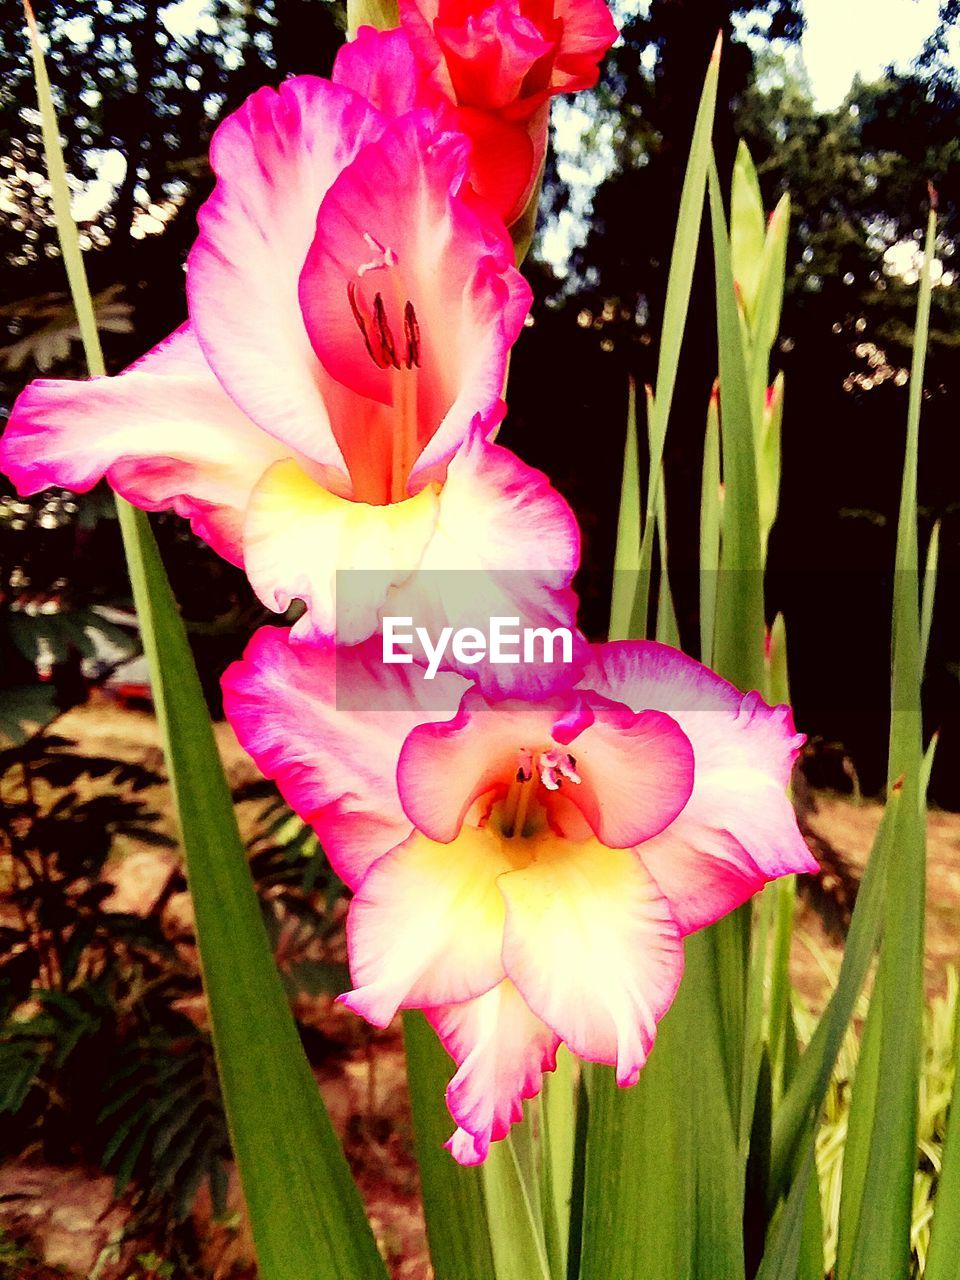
pixel 275 161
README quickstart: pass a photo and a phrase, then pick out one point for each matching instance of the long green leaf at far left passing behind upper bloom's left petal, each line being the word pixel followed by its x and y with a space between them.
pixel 307 1215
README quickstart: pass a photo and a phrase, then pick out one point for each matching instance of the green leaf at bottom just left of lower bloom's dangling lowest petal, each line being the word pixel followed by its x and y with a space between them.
pixel 454 1197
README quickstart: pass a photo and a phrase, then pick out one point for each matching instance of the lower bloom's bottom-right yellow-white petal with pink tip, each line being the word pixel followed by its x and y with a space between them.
pixel 593 949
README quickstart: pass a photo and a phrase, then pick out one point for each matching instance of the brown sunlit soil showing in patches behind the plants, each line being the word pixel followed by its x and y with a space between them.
pixel 65 1223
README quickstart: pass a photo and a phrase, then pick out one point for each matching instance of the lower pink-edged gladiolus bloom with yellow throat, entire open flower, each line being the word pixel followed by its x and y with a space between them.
pixel 527 871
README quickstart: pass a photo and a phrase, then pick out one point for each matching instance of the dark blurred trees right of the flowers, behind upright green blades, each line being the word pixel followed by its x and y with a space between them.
pixel 858 182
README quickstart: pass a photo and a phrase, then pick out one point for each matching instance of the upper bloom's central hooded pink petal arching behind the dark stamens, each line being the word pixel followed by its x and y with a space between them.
pixel 399 227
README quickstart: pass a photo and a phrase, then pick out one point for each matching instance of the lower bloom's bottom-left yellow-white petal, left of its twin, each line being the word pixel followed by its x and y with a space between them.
pixel 426 927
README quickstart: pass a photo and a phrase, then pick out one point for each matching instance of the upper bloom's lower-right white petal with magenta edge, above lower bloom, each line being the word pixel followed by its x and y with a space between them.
pixel 506 546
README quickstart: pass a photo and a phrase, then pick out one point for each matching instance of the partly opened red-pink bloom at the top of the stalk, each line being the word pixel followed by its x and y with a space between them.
pixel 497 63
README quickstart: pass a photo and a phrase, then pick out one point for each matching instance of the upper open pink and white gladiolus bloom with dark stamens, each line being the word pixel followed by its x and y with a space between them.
pixel 332 401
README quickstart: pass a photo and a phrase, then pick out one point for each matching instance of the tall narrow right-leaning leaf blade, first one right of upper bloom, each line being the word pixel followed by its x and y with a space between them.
pixel 675 312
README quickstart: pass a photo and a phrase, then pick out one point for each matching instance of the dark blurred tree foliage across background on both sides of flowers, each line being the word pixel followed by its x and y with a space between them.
pixel 141 86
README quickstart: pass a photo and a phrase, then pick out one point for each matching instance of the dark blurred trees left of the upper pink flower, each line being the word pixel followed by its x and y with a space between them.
pixel 140 88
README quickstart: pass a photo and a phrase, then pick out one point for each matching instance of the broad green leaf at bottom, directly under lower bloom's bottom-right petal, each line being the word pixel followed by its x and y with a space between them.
pixel 664 1196
